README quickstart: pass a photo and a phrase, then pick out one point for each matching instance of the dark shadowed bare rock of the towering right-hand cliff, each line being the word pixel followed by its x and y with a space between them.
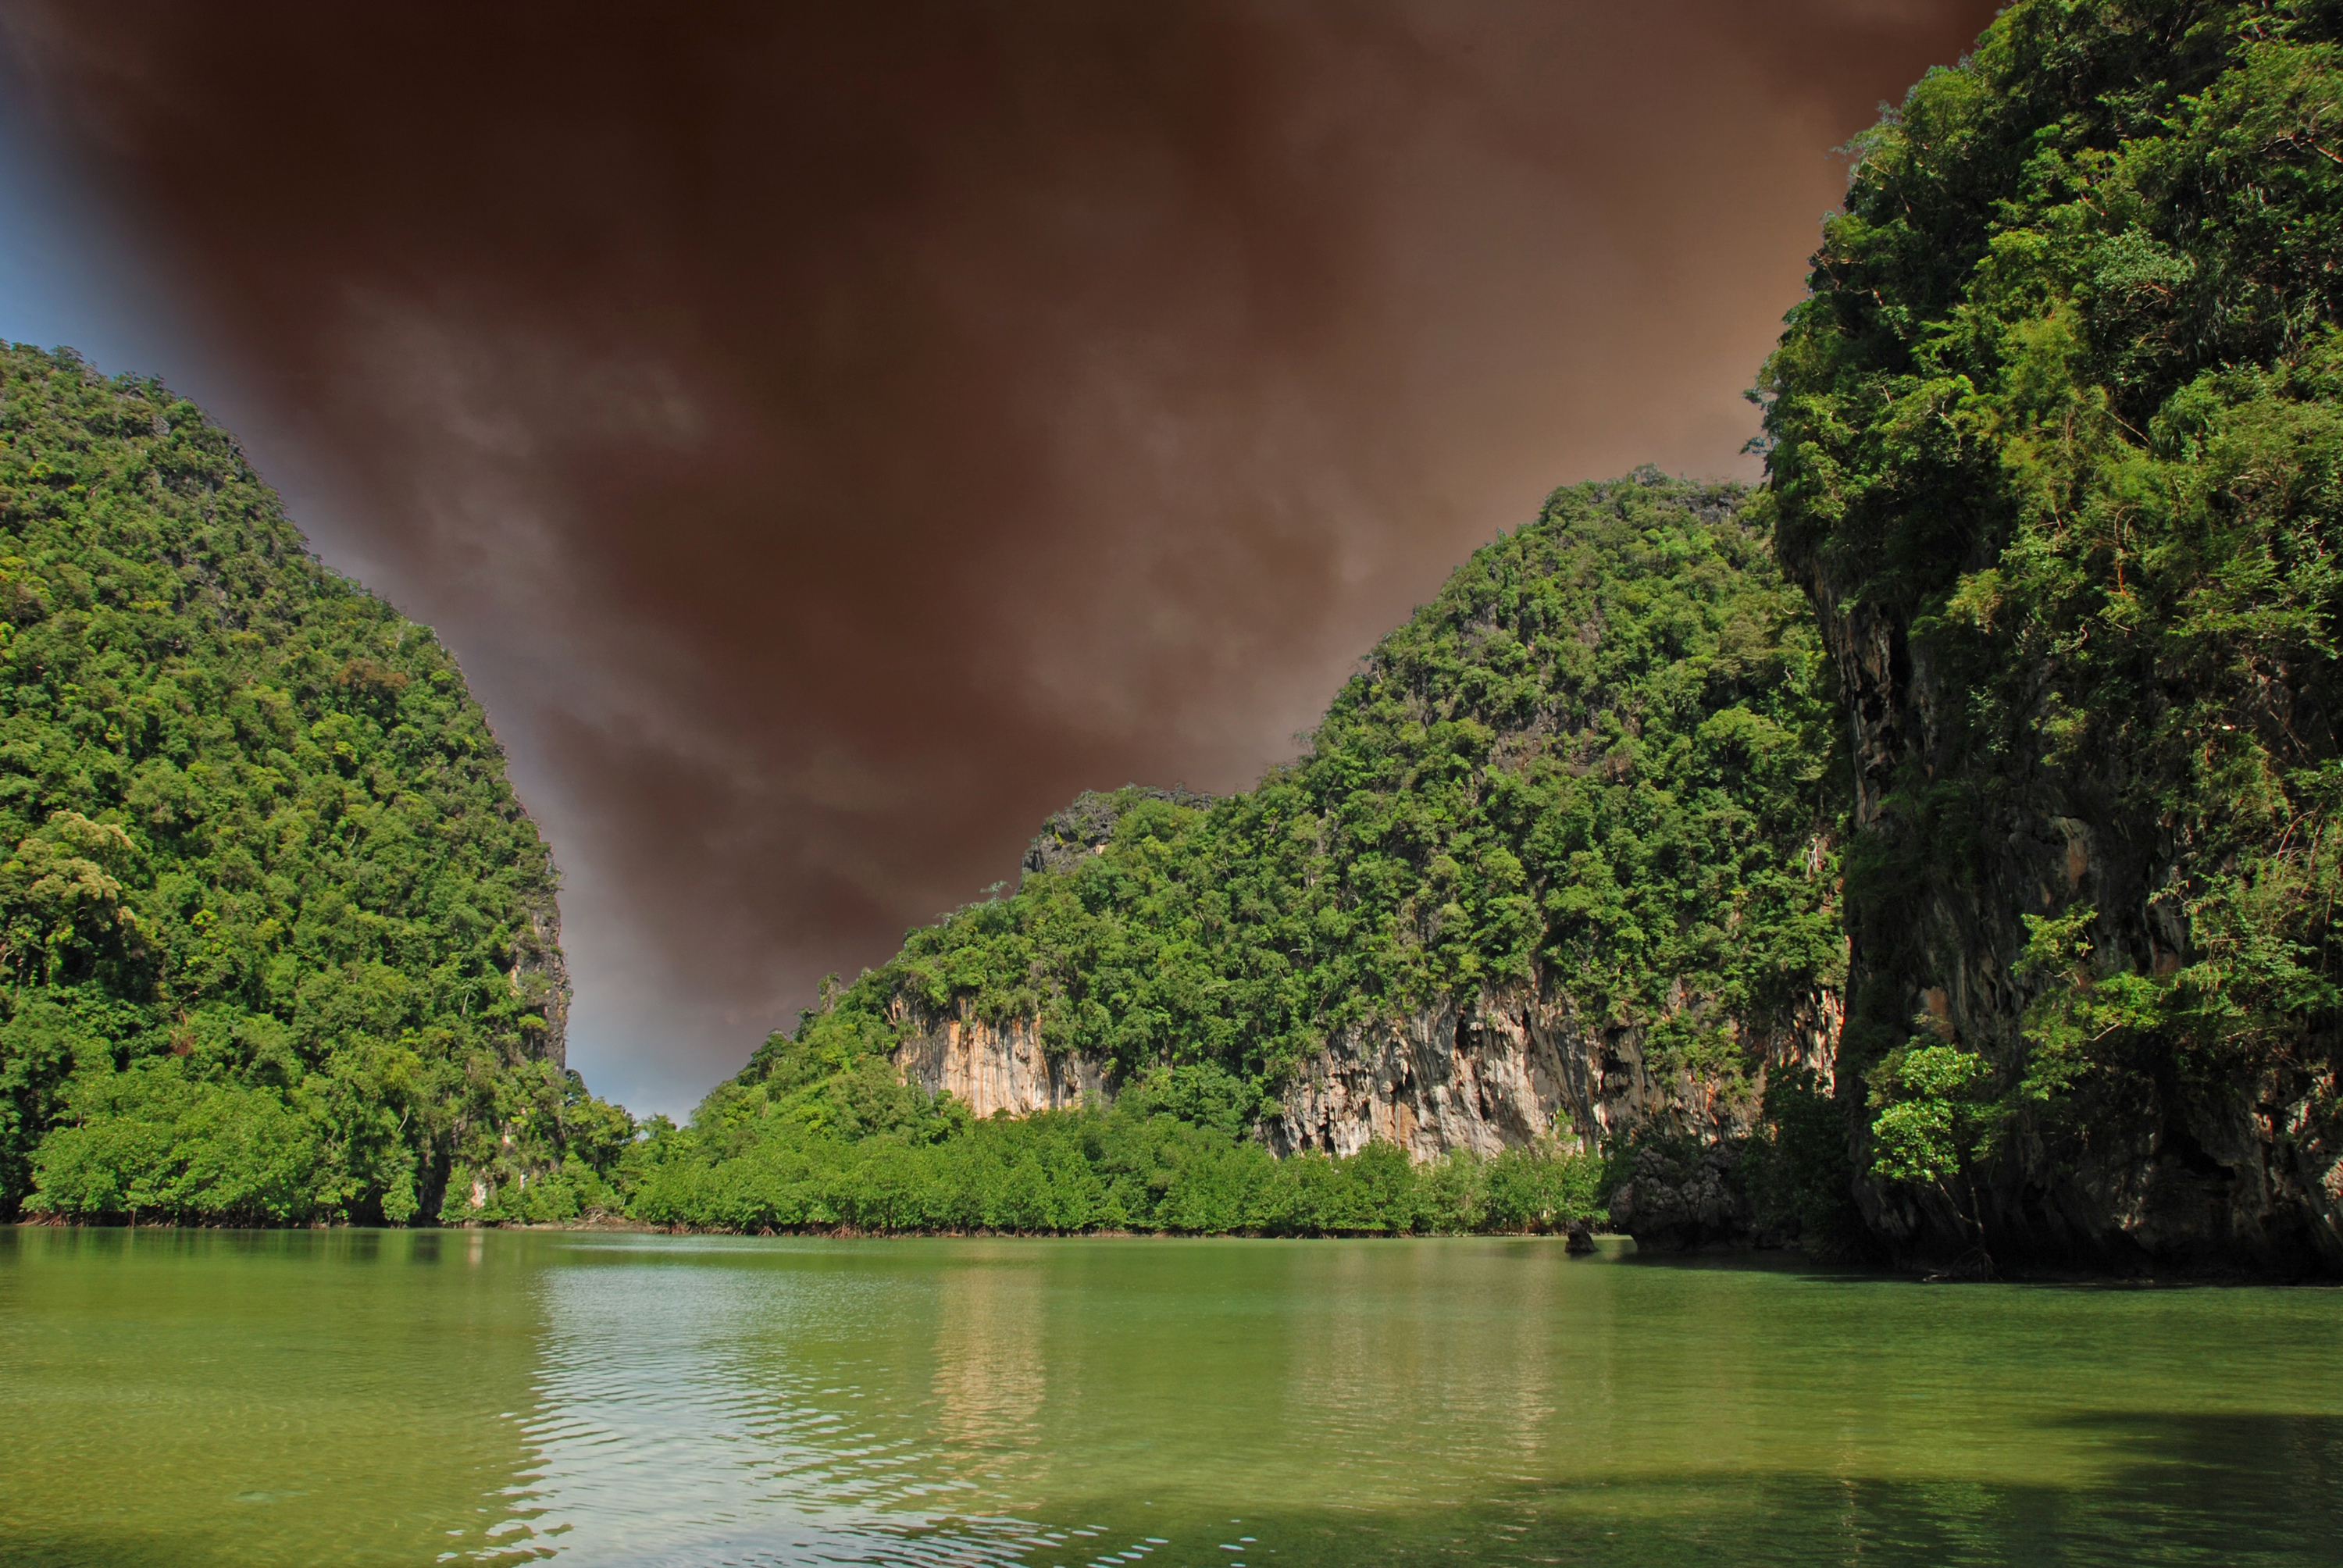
pixel 2152 1175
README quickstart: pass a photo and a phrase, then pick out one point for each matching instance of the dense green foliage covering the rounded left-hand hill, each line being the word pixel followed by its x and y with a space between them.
pixel 275 936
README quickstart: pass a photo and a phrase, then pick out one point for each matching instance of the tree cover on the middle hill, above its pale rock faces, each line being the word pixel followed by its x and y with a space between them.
pixel 1597 754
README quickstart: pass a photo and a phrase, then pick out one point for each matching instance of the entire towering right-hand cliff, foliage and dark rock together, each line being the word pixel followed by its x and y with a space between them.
pixel 2058 454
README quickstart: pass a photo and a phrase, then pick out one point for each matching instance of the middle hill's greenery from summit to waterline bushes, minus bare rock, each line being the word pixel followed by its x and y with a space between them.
pixel 1587 784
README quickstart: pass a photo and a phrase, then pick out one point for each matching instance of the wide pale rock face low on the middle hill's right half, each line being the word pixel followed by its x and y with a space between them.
pixel 1512 1068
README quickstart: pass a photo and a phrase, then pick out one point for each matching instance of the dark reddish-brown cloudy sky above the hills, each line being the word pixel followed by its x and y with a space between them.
pixel 831 437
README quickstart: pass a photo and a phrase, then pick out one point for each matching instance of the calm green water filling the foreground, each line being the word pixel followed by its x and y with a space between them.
pixel 411 1398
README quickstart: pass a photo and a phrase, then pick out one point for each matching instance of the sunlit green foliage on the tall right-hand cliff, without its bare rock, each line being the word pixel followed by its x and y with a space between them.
pixel 2068 402
